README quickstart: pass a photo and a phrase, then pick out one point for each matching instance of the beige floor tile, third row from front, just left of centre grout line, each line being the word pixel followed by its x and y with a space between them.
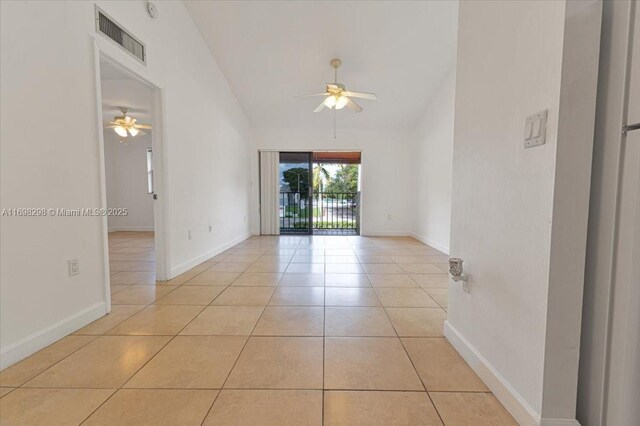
pixel 291 321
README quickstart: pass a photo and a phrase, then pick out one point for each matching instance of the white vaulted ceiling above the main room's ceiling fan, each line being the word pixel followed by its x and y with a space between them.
pixel 271 51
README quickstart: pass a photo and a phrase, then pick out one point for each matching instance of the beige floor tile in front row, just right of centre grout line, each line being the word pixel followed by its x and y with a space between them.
pixel 379 409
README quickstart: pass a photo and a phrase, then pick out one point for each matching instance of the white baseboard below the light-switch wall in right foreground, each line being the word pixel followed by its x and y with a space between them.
pixel 521 411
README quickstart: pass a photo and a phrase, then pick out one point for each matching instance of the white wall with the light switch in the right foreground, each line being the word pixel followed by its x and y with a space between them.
pixel 519 216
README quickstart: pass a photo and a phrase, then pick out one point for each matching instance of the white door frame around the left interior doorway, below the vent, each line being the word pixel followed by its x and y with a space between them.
pixel 106 52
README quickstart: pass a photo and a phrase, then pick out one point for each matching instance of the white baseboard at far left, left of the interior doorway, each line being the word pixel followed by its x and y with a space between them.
pixel 28 345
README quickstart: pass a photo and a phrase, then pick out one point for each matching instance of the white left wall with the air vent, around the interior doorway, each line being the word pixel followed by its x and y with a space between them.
pixel 47 163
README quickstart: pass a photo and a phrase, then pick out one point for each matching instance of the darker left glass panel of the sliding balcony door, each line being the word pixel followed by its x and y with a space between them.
pixel 296 201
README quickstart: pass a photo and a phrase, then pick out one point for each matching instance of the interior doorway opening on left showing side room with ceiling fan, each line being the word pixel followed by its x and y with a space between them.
pixel 131 157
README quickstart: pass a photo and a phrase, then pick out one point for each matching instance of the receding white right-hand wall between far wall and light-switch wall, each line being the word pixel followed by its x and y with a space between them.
pixel 433 157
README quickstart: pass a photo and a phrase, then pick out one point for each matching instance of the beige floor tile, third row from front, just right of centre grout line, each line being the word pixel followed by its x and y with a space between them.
pixel 357 321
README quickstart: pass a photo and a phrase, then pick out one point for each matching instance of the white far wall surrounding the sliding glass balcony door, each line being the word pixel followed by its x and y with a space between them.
pixel 386 170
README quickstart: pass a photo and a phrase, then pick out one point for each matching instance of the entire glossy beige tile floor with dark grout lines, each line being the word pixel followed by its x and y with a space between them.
pixel 334 330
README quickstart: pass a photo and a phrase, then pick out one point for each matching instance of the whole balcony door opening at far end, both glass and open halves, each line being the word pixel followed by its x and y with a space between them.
pixel 319 193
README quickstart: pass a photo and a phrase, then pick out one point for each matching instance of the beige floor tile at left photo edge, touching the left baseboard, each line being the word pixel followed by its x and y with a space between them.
pixel 21 372
